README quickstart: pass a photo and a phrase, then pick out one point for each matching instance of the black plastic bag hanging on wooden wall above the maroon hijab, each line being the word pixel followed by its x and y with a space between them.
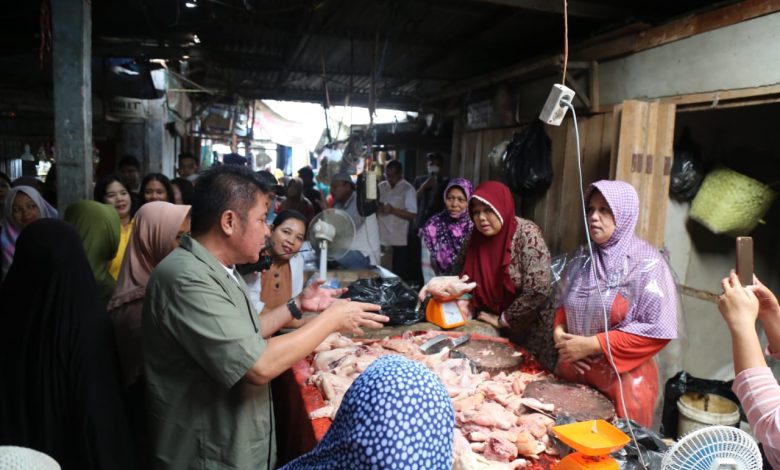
pixel 527 165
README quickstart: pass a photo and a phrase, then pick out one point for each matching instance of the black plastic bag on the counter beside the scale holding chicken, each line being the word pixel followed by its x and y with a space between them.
pixel 398 301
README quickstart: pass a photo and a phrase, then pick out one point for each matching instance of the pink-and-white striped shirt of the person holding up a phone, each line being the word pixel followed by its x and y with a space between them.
pixel 759 394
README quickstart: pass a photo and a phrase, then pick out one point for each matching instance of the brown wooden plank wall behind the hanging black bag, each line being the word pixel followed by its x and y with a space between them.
pixel 558 211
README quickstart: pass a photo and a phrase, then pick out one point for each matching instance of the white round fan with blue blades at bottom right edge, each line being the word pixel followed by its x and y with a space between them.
pixel 714 448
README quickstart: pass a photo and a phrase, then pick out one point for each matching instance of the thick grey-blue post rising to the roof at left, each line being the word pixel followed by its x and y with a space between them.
pixel 72 55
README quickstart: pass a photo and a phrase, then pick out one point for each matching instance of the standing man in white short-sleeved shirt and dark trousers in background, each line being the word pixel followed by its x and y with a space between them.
pixel 398 207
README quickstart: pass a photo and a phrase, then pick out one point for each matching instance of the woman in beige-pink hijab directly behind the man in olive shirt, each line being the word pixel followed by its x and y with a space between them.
pixel 158 227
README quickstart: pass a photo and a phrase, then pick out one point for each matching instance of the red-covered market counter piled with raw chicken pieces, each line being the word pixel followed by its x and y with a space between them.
pixel 494 423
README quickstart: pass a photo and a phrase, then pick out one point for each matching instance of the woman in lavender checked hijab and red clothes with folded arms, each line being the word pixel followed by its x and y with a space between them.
pixel 632 281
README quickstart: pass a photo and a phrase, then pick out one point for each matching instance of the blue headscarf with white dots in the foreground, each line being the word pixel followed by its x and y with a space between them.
pixel 396 415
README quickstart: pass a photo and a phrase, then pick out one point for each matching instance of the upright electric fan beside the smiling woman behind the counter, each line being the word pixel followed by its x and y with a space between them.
pixel 331 233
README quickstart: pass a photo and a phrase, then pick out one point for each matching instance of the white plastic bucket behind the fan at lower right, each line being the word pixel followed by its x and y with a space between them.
pixel 701 410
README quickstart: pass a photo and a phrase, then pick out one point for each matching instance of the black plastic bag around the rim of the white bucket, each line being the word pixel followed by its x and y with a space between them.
pixel 683 383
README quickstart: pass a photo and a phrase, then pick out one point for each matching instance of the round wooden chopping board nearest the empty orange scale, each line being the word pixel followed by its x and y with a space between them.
pixel 581 402
